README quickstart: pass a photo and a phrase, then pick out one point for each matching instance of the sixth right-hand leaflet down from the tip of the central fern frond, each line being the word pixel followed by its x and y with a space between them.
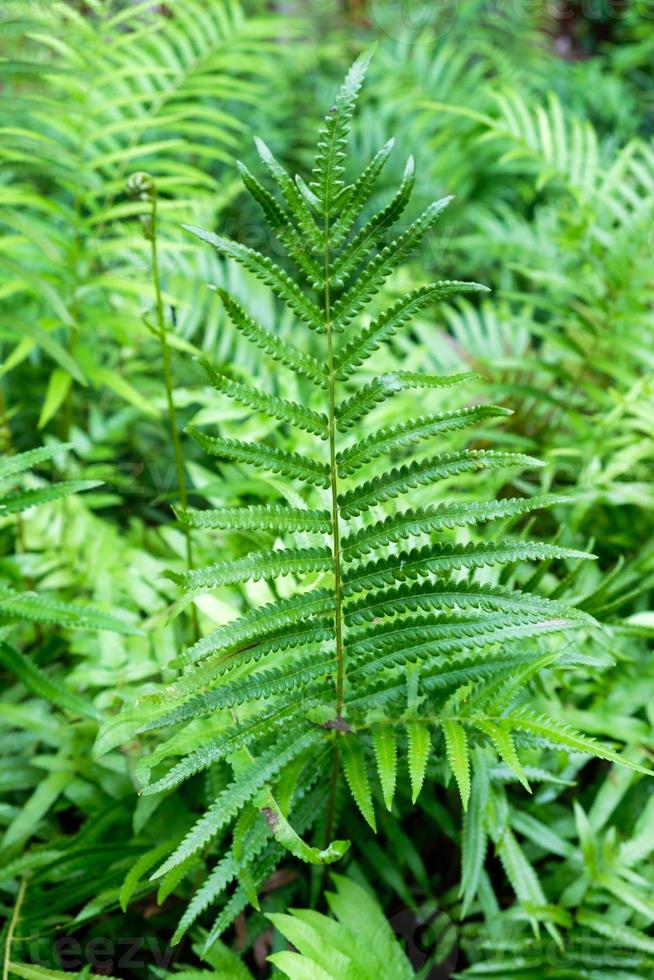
pixel 404 434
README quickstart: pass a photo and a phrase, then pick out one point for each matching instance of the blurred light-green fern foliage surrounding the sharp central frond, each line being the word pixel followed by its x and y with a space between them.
pixel 539 119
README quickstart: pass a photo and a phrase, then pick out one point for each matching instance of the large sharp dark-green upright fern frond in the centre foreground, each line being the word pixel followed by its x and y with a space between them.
pixel 387 648
